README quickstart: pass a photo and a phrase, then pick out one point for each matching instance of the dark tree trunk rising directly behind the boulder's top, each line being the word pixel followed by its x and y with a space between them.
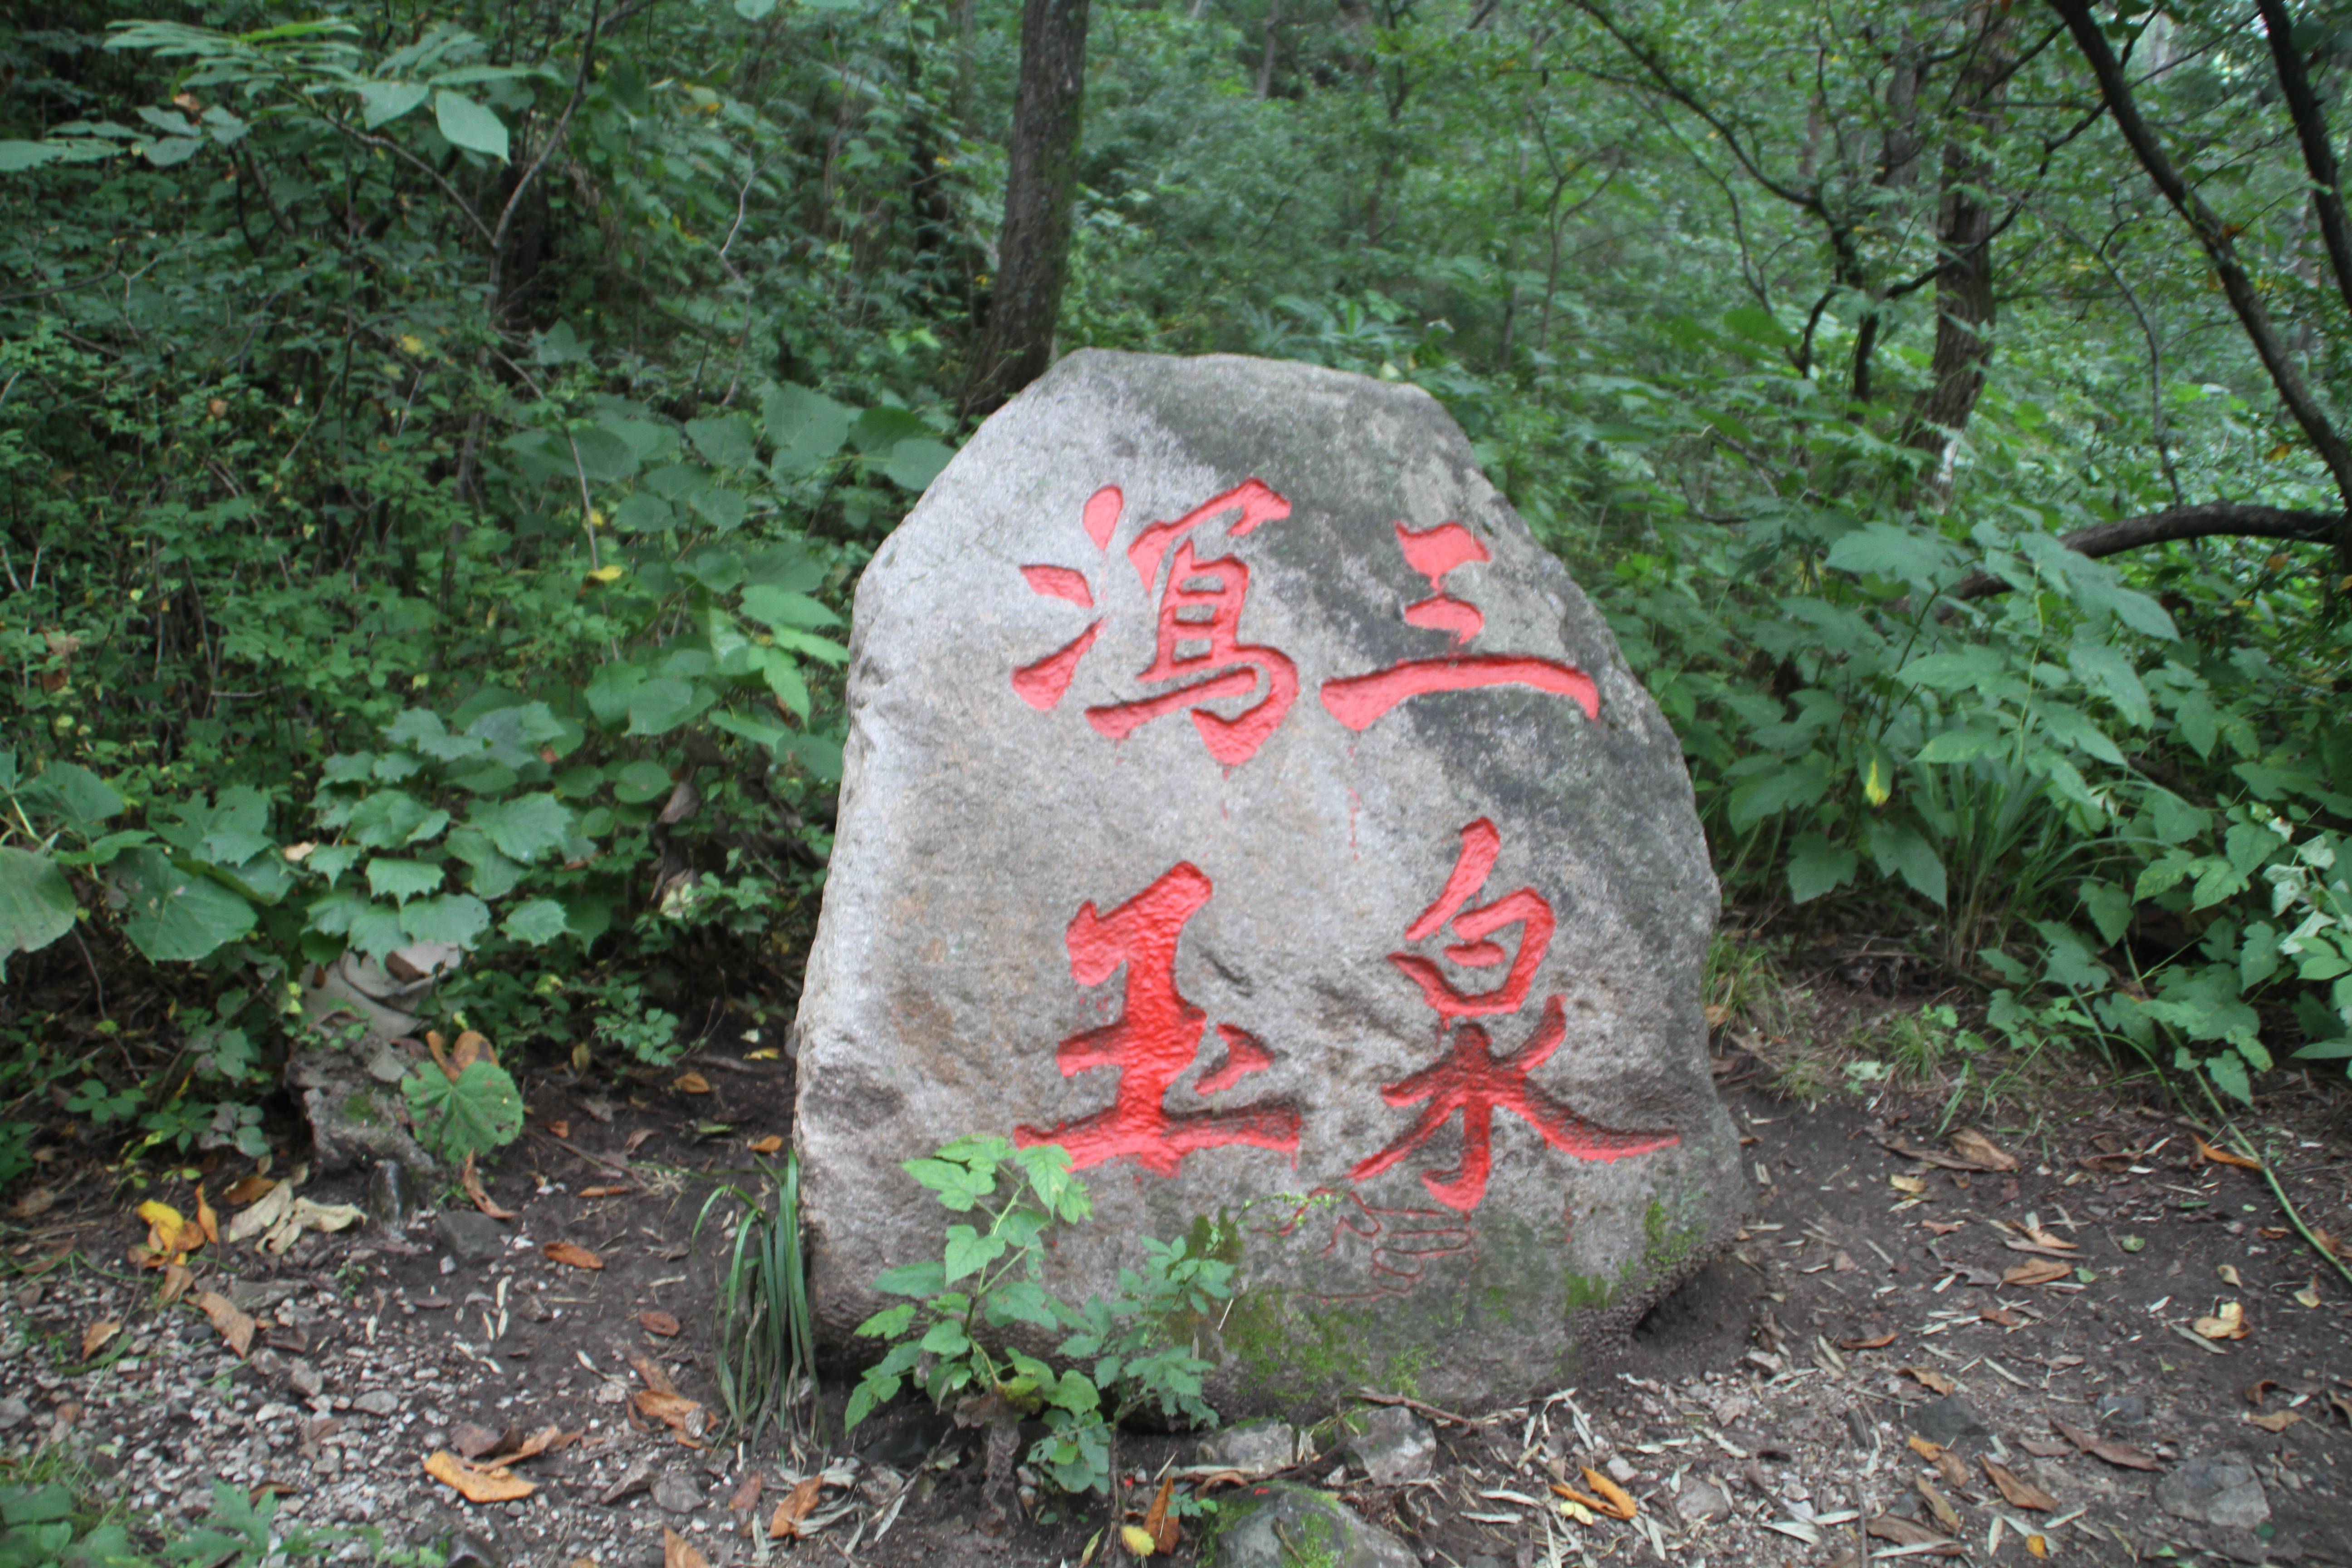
pixel 1041 187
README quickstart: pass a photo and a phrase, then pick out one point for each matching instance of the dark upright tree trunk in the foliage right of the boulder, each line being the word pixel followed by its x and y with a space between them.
pixel 1965 243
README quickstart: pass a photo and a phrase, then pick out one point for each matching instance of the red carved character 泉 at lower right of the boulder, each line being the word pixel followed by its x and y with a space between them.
pixel 1471 1080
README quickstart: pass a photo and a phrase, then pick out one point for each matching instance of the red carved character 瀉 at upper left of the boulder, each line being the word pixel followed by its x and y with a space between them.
pixel 1201 629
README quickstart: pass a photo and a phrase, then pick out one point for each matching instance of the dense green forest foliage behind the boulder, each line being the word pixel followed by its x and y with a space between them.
pixel 439 445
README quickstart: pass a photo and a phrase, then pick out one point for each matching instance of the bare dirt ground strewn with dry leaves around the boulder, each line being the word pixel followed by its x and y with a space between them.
pixel 1760 1416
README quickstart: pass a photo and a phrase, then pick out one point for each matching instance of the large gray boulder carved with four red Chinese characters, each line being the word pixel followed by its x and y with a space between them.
pixel 1241 798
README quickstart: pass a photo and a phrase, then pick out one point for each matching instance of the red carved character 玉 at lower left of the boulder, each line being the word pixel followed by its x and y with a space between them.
pixel 1154 1043
